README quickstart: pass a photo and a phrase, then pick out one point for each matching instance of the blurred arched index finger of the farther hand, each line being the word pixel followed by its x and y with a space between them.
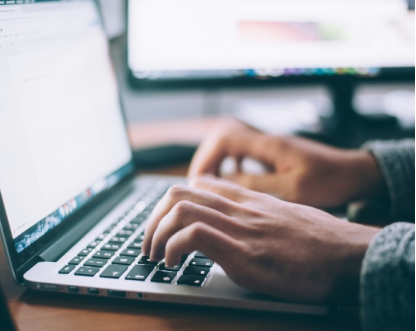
pixel 213 151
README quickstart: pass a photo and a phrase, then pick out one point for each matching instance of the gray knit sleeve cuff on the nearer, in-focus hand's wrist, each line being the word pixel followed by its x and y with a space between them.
pixel 388 280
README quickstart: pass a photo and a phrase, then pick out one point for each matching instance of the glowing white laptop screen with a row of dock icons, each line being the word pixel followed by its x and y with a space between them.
pixel 62 134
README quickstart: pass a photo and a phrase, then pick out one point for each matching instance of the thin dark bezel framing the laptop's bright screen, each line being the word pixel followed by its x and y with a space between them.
pixel 20 263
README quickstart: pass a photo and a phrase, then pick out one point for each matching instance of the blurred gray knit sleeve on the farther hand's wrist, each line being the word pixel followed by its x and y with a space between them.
pixel 397 163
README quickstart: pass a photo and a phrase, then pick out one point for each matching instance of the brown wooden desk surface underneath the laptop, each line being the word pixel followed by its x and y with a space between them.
pixel 38 311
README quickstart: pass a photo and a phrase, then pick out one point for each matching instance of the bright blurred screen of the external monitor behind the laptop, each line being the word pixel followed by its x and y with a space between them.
pixel 188 39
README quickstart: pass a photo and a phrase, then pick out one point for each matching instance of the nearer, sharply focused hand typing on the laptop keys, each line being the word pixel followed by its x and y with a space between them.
pixel 288 251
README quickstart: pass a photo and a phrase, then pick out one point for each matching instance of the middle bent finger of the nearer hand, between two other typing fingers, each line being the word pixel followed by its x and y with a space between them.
pixel 185 214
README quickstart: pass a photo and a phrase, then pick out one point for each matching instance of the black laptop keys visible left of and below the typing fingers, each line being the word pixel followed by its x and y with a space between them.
pixel 117 253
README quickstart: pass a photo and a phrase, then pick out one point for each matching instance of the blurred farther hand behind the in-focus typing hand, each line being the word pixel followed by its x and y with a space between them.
pixel 302 171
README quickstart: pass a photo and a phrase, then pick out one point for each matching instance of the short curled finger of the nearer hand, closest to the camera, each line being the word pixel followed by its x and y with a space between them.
pixel 216 245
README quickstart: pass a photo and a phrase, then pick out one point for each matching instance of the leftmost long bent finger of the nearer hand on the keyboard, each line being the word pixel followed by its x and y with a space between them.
pixel 184 193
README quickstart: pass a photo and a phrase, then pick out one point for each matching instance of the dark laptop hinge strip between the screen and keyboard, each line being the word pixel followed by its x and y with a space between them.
pixel 55 251
